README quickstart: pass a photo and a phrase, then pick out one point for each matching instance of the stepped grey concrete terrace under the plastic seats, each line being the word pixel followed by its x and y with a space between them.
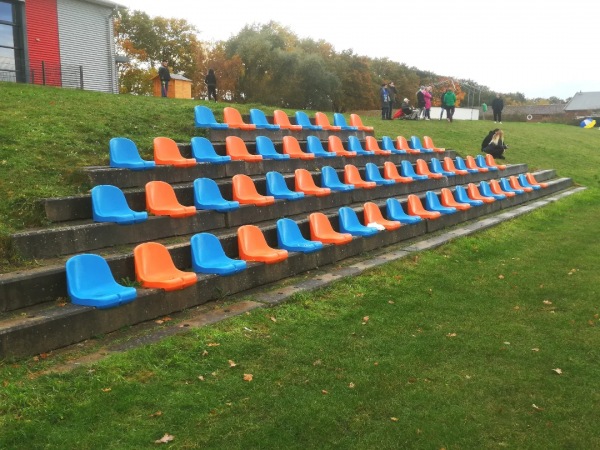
pixel 35 313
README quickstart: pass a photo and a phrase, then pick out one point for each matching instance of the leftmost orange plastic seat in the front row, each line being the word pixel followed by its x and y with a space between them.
pixel 154 268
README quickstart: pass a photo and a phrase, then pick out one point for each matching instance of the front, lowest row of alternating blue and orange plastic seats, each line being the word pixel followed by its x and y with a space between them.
pixel 91 283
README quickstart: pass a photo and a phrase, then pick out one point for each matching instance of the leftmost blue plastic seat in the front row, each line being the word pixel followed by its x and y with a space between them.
pixel 90 282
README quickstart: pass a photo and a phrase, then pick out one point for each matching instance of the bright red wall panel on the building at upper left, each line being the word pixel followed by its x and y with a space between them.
pixel 42 40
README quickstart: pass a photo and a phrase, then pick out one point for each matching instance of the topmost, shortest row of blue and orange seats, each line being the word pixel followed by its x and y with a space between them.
pixel 204 118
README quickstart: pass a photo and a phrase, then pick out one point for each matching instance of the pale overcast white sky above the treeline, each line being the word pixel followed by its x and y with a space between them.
pixel 527 46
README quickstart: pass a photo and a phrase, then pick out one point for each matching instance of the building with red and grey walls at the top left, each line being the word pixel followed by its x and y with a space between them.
pixel 68 43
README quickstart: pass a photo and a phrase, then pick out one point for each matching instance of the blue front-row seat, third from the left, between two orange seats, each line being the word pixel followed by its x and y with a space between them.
pixel 209 257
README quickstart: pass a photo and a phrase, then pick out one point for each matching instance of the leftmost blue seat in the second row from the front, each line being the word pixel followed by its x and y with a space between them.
pixel 110 205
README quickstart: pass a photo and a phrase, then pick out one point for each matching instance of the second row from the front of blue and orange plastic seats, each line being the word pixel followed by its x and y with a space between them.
pixel 110 205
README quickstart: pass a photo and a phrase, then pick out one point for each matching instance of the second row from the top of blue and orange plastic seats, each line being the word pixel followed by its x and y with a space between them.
pixel 123 152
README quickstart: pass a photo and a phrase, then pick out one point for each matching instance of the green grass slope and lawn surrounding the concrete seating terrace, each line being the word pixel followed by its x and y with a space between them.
pixel 490 341
